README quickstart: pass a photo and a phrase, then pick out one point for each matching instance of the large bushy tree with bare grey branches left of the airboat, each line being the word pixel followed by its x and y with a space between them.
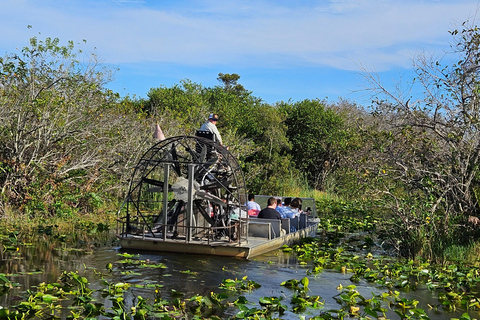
pixel 60 131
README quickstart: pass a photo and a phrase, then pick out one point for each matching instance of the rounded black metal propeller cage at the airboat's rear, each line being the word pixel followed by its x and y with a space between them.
pixel 188 189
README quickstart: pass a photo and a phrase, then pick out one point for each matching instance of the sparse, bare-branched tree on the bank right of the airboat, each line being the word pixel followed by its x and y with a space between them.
pixel 428 157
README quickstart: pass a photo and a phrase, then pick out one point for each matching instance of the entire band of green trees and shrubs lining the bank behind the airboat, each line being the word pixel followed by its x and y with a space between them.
pixel 68 143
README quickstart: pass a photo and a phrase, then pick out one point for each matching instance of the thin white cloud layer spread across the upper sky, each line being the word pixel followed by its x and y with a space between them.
pixel 335 33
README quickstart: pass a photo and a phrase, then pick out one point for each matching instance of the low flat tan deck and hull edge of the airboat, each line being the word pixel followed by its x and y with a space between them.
pixel 246 248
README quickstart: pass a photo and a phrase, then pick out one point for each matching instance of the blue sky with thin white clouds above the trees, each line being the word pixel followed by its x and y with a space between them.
pixel 283 50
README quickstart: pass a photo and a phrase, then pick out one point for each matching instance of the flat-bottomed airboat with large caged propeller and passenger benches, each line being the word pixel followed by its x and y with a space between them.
pixel 187 194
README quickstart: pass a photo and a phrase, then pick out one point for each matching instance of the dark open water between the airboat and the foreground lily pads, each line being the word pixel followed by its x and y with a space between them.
pixel 42 261
